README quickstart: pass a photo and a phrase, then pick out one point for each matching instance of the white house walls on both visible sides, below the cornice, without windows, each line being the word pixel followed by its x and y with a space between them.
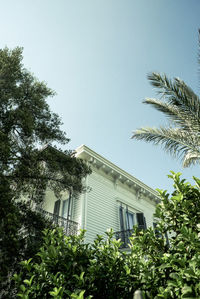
pixel 98 210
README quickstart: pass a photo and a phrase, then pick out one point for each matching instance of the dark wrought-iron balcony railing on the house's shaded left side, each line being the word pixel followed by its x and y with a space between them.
pixel 70 227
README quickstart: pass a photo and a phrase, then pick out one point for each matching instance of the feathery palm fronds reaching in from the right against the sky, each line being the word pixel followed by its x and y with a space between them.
pixel 182 107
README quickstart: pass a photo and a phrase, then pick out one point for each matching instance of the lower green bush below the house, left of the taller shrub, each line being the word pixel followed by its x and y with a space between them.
pixel 67 267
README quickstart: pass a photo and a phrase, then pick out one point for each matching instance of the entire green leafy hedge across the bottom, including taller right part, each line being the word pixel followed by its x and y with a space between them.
pixel 160 267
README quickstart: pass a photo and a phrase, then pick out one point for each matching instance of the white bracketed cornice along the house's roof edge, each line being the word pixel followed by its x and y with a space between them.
pixel 116 172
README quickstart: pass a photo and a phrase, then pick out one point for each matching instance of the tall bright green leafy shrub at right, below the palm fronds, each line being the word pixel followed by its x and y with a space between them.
pixel 170 267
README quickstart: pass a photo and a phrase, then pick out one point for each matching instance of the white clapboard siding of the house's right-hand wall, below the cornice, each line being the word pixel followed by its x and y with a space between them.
pixel 103 203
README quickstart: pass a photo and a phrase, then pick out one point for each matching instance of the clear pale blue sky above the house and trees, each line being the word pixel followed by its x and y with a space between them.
pixel 96 55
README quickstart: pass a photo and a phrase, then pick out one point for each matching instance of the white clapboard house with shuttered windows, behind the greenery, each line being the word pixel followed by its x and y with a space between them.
pixel 115 199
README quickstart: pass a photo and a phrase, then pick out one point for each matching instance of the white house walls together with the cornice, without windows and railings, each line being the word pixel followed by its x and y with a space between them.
pixel 111 187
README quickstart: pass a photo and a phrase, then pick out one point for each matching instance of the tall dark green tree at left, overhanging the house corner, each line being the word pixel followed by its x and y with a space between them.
pixel 29 163
